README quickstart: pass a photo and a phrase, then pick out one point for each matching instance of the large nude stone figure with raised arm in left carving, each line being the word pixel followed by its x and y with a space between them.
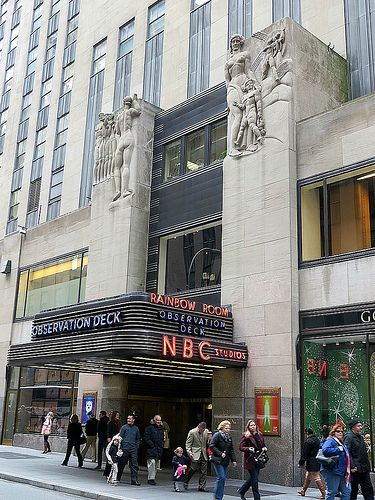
pixel 125 145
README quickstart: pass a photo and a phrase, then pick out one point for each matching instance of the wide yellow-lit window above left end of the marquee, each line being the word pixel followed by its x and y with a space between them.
pixel 56 284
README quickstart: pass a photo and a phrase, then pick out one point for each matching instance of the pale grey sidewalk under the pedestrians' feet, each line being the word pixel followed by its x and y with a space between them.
pixel 29 466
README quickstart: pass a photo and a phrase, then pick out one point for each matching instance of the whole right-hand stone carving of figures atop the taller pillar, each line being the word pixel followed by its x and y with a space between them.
pixel 252 86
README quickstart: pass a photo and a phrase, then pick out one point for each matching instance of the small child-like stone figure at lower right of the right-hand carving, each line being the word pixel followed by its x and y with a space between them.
pixel 252 119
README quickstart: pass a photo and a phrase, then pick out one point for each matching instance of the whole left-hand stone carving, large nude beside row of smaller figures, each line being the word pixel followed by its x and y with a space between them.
pixel 114 145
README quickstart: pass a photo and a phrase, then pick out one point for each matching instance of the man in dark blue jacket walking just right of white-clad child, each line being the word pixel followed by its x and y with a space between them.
pixel 130 441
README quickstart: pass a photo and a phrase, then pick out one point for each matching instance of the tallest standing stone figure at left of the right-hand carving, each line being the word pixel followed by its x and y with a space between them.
pixel 237 71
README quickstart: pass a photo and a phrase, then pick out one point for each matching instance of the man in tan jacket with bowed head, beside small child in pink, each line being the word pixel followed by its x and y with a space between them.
pixel 196 447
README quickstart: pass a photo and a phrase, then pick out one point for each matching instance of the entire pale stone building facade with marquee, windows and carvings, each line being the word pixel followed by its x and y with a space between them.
pixel 262 226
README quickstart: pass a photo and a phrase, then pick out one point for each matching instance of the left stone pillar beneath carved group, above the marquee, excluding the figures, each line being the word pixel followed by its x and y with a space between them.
pixel 119 229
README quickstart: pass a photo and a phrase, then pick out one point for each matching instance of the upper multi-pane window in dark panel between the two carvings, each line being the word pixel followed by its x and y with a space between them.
pixel 204 146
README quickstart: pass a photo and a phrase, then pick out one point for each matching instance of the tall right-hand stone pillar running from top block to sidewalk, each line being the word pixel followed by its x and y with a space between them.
pixel 259 247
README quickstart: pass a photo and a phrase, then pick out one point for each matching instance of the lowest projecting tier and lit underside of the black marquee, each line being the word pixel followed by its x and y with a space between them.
pixel 126 353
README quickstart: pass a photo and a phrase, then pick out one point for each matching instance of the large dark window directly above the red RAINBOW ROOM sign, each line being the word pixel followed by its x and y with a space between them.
pixel 191 259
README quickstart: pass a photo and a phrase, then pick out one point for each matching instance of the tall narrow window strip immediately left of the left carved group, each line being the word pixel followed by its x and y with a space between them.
pixel 95 97
